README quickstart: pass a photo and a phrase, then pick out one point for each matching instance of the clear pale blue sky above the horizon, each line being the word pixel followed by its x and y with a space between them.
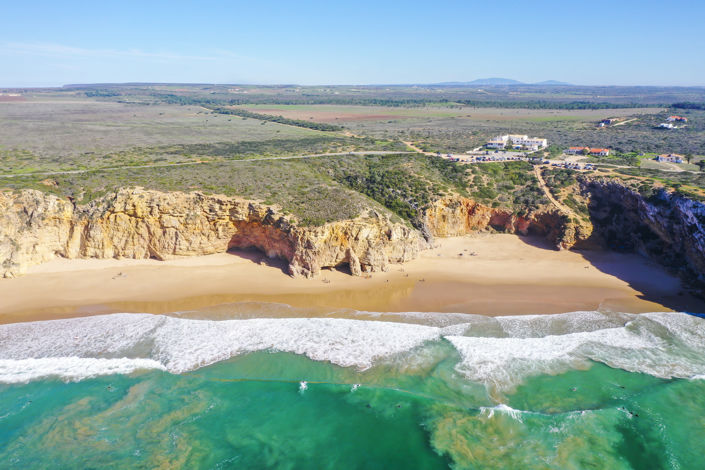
pixel 617 42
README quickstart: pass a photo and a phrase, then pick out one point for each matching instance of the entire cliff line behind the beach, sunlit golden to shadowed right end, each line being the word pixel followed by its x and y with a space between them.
pixel 134 223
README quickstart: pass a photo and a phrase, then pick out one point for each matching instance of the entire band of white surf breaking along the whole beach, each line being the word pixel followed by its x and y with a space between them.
pixel 499 352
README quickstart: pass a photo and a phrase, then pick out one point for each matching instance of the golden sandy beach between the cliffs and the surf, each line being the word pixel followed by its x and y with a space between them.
pixel 489 274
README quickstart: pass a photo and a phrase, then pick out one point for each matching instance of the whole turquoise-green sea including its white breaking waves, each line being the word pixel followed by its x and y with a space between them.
pixel 573 391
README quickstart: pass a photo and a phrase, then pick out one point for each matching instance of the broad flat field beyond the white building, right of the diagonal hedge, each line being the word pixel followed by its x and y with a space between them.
pixel 457 129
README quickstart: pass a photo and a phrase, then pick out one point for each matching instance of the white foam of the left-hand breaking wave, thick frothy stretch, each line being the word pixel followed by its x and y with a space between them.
pixel 179 345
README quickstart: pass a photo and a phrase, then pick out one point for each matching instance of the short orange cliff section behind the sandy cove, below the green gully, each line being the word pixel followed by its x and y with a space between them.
pixel 455 216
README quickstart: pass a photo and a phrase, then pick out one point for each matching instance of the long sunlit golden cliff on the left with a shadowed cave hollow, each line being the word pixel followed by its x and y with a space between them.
pixel 135 223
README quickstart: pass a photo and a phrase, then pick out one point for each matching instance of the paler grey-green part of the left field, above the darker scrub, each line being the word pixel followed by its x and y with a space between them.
pixel 62 127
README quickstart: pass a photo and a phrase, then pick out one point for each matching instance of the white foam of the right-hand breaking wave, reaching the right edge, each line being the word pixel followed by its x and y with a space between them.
pixel 663 345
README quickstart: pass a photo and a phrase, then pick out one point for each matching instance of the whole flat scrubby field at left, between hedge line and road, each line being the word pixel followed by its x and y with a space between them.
pixel 59 133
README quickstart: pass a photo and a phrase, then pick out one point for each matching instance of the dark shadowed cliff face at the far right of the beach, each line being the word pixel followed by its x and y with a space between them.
pixel 664 226
